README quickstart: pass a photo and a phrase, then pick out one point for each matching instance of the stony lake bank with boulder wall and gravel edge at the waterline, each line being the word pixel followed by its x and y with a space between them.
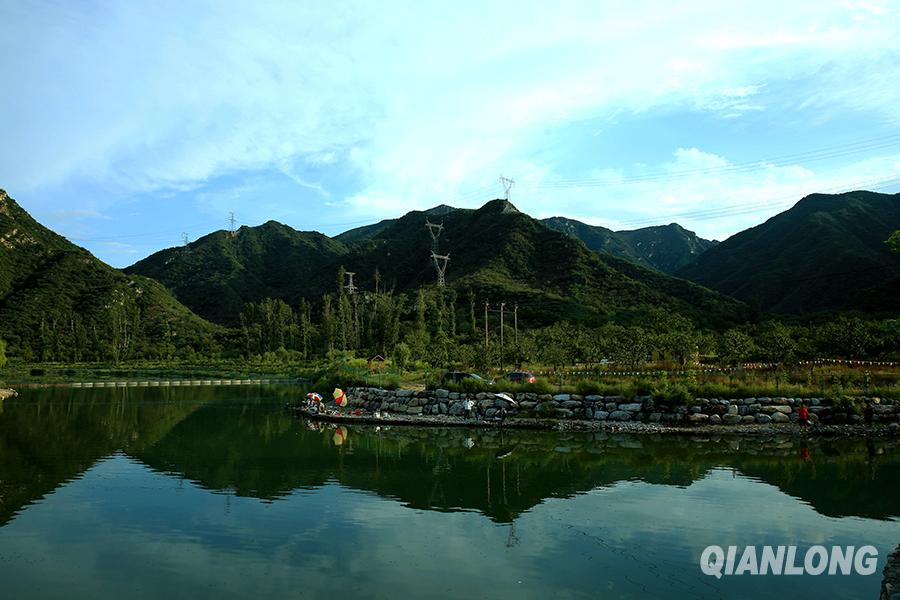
pixel 640 414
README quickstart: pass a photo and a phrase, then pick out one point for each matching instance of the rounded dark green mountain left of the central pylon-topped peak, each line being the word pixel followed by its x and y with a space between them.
pixel 215 275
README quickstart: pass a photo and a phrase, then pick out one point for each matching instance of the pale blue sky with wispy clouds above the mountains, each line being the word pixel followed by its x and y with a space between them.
pixel 127 124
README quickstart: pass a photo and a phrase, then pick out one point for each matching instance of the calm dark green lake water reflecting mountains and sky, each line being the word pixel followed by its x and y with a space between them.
pixel 218 493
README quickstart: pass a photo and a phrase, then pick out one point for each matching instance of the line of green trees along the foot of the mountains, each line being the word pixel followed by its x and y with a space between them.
pixel 442 327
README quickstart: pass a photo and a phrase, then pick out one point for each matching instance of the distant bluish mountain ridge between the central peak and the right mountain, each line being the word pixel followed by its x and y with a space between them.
pixel 665 248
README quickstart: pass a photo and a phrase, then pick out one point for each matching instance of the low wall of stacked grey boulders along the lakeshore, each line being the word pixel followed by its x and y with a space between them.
pixel 616 408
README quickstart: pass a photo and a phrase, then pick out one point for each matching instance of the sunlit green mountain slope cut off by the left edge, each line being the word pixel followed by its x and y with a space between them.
pixel 58 301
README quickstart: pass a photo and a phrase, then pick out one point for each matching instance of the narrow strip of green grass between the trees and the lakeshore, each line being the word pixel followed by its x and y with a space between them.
pixel 834 381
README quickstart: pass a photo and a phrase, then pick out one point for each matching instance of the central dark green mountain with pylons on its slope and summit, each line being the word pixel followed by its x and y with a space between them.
pixel 506 255
